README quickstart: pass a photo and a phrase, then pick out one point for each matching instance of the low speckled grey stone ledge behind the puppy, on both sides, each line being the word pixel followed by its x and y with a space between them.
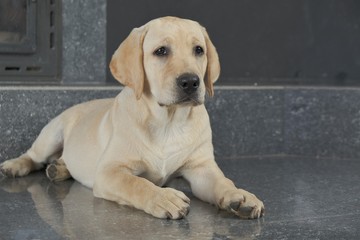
pixel 318 122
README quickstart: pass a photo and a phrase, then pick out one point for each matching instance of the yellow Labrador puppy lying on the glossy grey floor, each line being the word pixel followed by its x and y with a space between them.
pixel 126 148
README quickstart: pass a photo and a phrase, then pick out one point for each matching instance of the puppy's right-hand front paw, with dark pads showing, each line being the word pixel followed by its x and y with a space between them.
pixel 242 203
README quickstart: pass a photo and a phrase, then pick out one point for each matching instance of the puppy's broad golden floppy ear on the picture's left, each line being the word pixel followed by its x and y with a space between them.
pixel 127 62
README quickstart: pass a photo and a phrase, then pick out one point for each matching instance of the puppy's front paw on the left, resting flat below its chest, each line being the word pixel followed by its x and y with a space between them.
pixel 169 203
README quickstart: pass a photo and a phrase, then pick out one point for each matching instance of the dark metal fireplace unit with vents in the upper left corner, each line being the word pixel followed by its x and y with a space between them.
pixel 30 41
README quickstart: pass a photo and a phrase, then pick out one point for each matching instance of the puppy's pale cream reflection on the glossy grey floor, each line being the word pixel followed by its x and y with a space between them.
pixel 71 211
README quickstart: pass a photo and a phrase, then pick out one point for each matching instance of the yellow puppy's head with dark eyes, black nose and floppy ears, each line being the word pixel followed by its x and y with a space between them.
pixel 171 59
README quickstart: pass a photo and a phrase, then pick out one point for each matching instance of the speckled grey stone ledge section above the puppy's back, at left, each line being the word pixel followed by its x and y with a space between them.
pixel 25 111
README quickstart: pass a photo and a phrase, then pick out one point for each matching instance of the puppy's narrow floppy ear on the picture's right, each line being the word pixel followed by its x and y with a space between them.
pixel 213 65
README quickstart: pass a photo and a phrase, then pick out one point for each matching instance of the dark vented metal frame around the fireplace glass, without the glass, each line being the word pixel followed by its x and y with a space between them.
pixel 38 57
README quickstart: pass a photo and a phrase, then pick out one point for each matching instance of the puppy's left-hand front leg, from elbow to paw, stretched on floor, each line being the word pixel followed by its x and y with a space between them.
pixel 118 183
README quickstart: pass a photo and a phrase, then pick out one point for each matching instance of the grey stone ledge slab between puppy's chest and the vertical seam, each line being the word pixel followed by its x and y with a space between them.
pixel 247 121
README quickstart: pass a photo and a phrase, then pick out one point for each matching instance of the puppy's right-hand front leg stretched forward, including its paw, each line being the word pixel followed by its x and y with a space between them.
pixel 209 184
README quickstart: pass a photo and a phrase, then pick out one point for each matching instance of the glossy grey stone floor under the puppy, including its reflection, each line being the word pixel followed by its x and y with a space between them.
pixel 305 198
